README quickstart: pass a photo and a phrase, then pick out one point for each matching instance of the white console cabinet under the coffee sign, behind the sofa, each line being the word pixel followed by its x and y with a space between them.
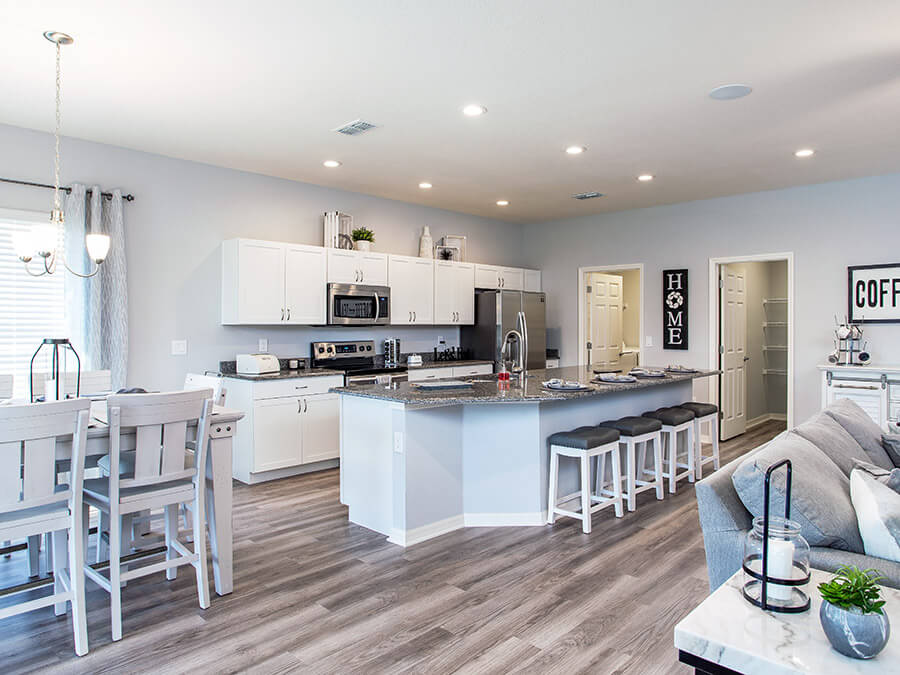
pixel 876 389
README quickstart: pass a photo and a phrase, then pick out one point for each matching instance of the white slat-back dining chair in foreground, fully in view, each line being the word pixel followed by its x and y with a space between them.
pixel 161 478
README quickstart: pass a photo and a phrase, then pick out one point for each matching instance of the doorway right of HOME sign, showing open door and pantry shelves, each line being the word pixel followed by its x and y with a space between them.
pixel 751 340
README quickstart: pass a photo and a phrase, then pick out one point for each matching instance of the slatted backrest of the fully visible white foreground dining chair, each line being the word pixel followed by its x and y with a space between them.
pixel 160 422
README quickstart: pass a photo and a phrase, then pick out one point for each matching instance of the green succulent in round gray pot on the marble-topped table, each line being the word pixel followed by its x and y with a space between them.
pixel 851 613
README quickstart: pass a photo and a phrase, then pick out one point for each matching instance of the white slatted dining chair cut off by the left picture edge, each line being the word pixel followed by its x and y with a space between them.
pixel 32 503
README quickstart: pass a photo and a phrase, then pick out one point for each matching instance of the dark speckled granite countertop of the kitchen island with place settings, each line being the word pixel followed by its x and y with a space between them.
pixel 486 389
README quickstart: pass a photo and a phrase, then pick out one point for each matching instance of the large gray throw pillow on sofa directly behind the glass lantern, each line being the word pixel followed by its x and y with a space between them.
pixel 820 492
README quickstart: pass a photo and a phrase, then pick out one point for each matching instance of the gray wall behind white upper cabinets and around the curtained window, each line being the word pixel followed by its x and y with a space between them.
pixel 181 213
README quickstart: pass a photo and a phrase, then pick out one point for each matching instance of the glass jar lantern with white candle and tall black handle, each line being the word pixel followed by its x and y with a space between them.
pixel 776 557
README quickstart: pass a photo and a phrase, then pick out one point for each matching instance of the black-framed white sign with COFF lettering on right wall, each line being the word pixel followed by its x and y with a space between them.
pixel 873 293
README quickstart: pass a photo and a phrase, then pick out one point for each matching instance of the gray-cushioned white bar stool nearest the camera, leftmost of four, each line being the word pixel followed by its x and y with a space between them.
pixel 584 443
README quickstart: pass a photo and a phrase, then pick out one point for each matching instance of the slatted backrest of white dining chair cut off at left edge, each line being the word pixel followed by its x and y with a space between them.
pixel 28 436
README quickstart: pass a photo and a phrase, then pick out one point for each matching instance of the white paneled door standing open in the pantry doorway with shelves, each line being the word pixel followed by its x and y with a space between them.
pixel 733 350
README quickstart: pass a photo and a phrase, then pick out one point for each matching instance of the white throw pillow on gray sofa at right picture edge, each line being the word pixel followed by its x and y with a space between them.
pixel 877 515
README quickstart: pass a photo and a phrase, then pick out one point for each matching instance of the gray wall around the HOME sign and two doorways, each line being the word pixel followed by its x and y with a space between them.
pixel 828 227
